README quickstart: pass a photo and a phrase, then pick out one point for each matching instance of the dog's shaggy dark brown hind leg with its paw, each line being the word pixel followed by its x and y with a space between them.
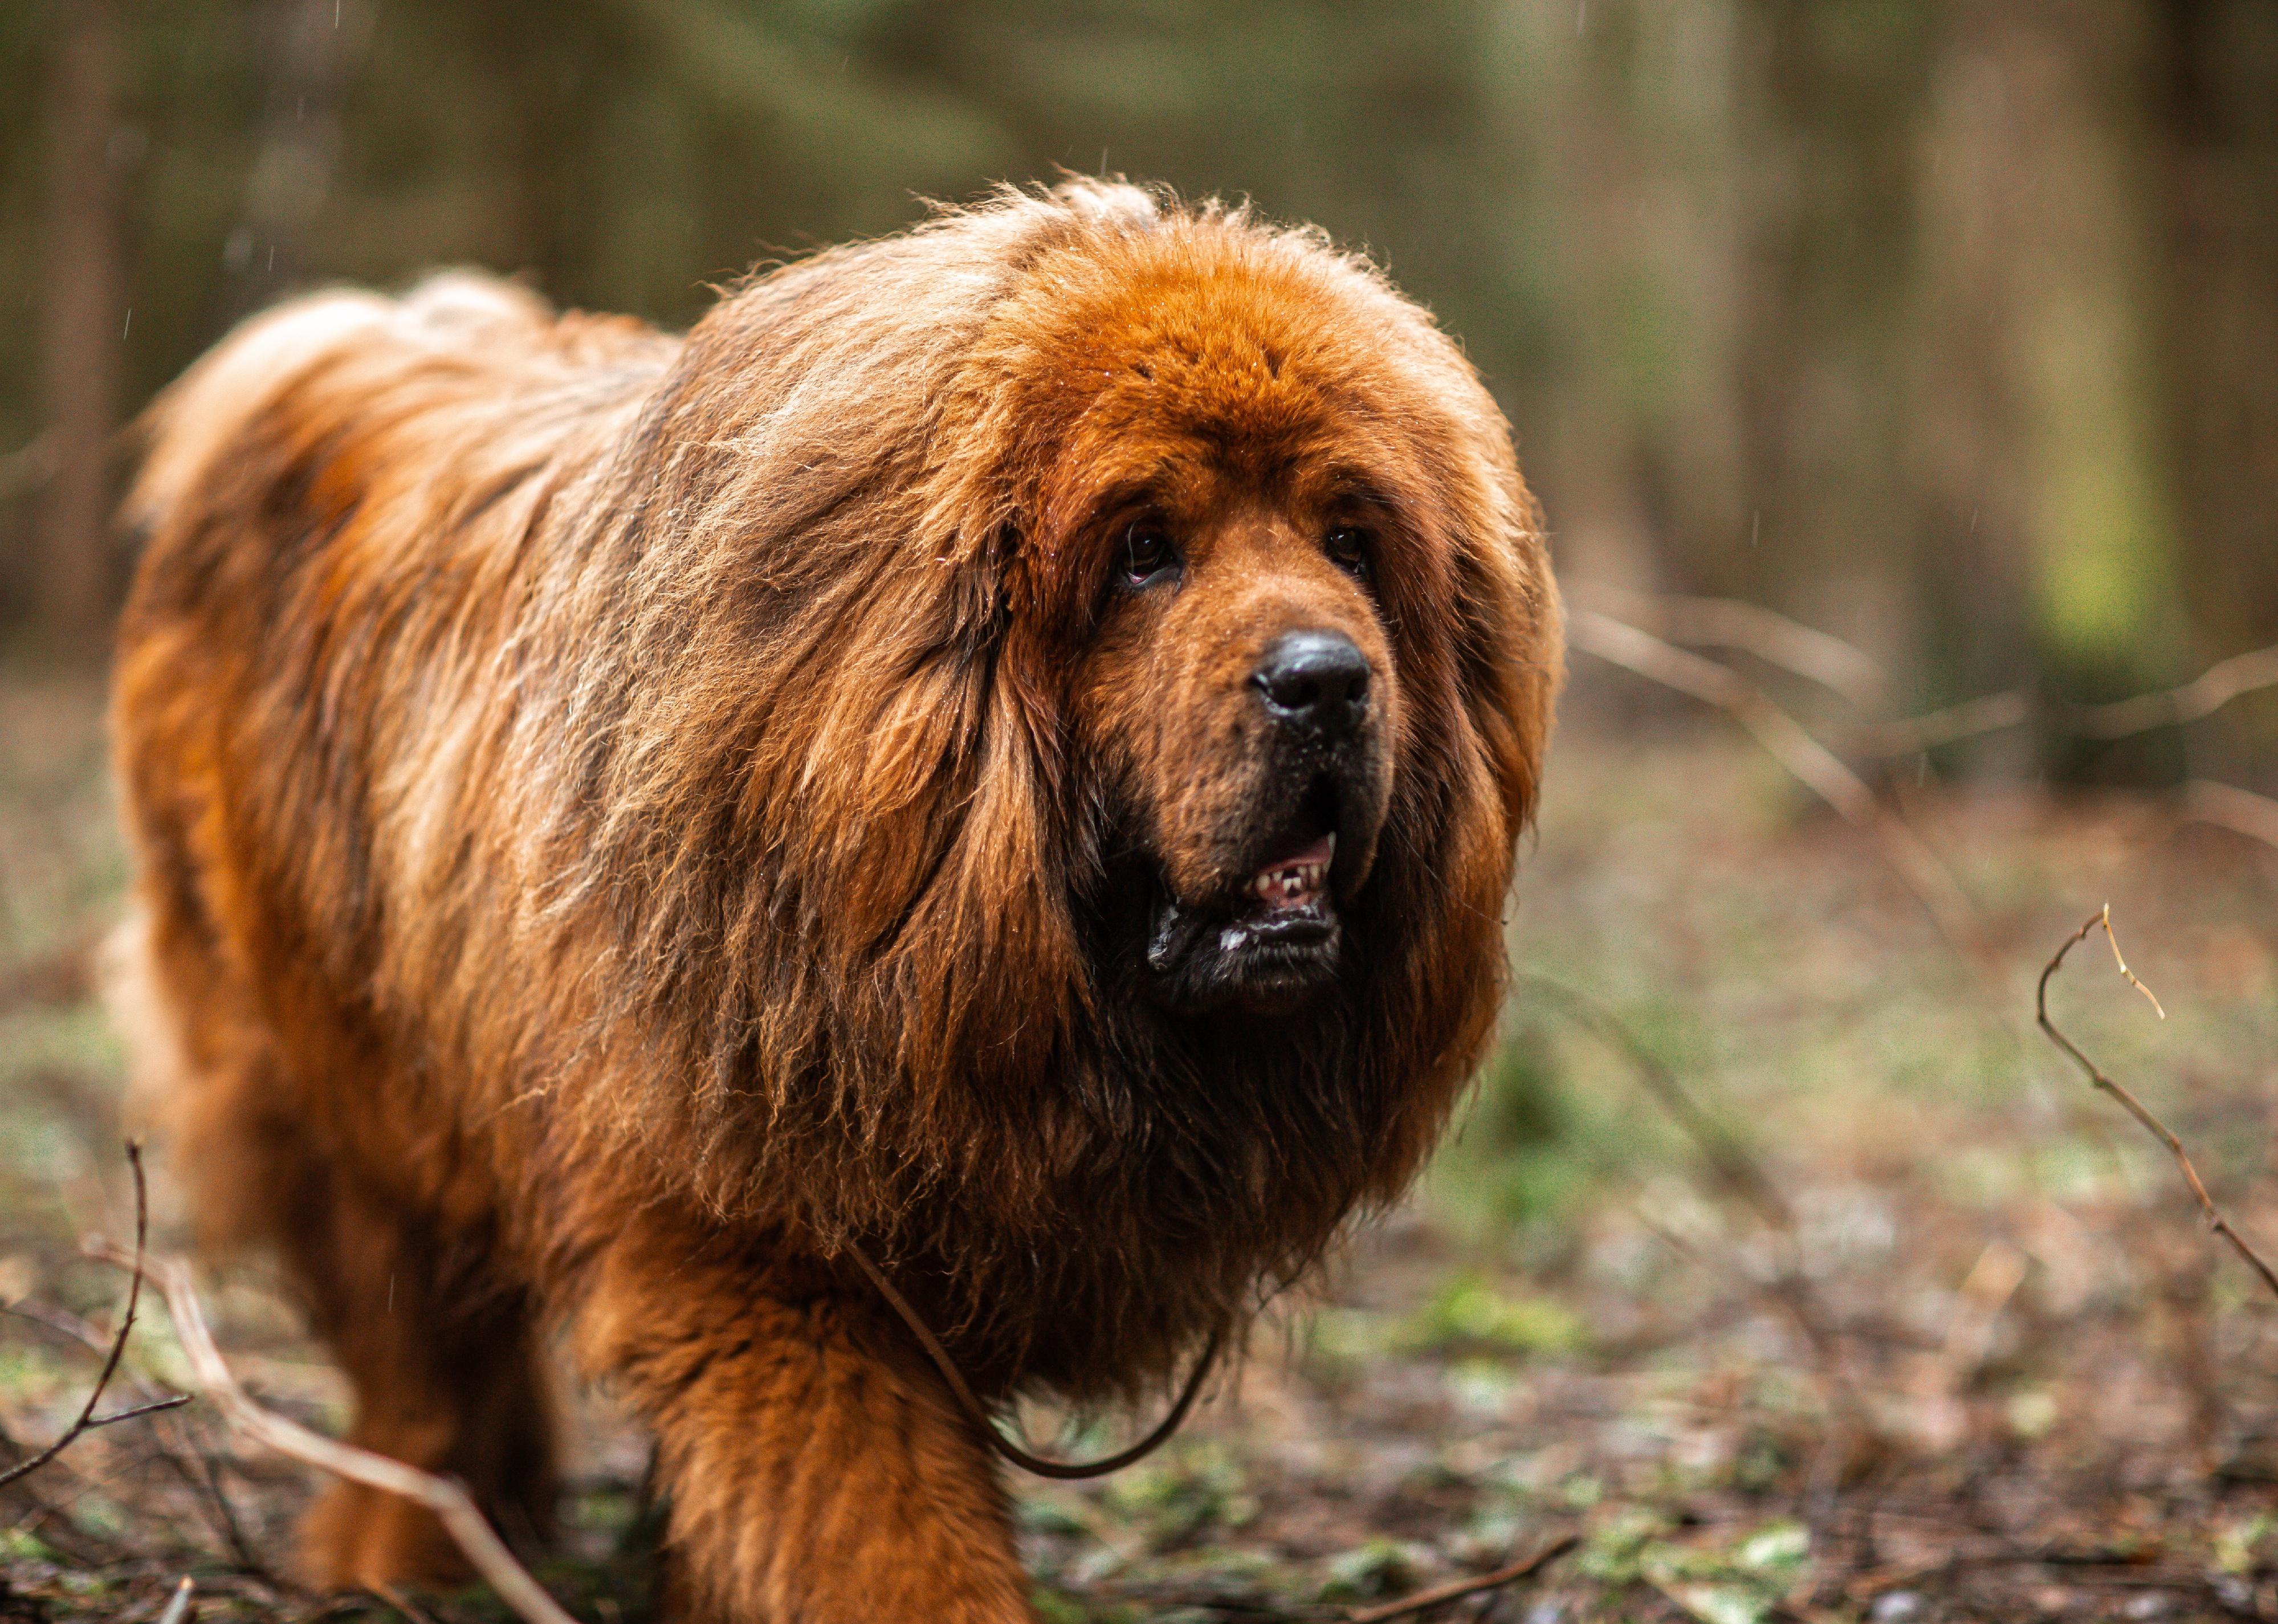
pixel 441 1356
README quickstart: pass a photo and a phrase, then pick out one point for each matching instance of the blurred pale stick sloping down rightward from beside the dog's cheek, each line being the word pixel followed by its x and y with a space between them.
pixel 1798 753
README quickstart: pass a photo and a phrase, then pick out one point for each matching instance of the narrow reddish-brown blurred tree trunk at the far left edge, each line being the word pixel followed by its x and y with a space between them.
pixel 81 331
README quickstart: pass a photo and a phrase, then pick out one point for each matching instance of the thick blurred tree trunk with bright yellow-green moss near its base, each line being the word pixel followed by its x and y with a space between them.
pixel 2047 386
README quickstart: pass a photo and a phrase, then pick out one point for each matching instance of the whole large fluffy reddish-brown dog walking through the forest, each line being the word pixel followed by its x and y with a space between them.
pixel 1003 748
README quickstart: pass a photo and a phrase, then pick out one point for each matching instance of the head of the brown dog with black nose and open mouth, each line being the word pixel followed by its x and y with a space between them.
pixel 1275 566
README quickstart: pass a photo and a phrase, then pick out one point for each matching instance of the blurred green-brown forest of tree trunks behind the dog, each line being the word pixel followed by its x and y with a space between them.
pixel 1949 329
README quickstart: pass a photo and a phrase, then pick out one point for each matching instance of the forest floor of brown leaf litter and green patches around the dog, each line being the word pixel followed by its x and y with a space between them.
pixel 1965 1354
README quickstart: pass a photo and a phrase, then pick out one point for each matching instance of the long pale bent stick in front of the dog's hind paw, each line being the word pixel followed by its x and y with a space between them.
pixel 445 1498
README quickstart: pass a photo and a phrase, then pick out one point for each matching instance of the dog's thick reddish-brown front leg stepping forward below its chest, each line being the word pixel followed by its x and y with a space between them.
pixel 817 1470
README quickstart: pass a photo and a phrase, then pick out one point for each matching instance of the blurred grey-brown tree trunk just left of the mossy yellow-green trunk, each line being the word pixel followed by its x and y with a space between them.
pixel 1826 322
